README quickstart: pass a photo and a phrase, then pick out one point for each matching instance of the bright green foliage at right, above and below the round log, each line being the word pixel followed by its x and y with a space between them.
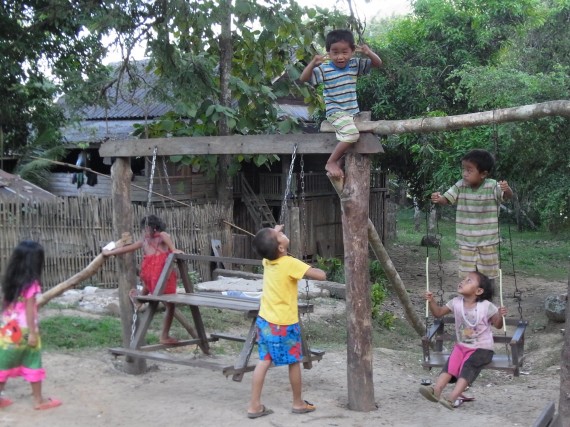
pixel 453 58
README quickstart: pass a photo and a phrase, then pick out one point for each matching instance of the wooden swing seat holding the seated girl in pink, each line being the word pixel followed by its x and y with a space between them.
pixel 436 355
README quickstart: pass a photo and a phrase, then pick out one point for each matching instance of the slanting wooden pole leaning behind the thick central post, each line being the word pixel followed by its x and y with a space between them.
pixel 391 272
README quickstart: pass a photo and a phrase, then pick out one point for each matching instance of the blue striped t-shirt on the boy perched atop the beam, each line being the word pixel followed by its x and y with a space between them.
pixel 340 84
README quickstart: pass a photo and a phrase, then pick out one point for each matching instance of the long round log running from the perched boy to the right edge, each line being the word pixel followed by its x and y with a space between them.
pixel 441 124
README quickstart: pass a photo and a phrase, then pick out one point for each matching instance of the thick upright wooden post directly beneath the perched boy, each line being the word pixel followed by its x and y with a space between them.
pixel 354 202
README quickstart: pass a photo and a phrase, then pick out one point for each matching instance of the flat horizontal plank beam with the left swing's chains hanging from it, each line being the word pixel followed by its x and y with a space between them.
pixel 317 143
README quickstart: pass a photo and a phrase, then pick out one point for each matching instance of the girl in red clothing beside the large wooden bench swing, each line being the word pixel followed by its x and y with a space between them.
pixel 156 245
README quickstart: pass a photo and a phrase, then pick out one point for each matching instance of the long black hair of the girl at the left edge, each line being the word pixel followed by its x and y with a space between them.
pixel 24 268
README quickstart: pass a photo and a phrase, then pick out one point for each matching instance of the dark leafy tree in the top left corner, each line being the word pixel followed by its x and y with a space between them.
pixel 42 44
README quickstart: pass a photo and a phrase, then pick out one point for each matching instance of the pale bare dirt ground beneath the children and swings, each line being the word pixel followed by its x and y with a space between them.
pixel 96 392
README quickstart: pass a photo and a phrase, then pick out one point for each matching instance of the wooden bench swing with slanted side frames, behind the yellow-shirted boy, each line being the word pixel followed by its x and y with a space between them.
pixel 196 300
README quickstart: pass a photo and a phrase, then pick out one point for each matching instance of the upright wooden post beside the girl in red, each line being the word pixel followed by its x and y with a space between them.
pixel 121 175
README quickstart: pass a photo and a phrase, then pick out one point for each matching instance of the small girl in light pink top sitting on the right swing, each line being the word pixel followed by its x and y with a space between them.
pixel 474 314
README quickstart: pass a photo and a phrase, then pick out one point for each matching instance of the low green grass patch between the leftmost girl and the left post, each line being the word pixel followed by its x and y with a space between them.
pixel 74 332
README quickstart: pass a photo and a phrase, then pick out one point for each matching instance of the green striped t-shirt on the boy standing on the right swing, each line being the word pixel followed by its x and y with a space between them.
pixel 476 218
